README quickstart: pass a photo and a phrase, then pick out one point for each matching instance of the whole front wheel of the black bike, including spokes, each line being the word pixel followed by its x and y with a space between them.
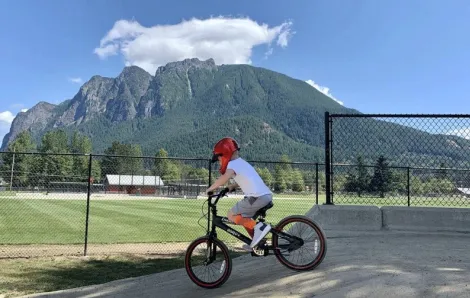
pixel 213 260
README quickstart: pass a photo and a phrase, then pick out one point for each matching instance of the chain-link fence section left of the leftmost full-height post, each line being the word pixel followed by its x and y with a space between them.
pixel 43 201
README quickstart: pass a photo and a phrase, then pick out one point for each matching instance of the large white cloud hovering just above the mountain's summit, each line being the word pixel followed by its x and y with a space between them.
pixel 226 40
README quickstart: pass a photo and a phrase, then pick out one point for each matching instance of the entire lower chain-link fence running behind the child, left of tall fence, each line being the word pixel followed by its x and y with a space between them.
pixel 76 204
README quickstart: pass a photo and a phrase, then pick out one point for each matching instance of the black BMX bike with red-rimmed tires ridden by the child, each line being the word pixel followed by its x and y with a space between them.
pixel 223 262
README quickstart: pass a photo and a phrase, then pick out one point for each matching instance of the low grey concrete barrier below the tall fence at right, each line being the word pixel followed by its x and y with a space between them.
pixel 373 218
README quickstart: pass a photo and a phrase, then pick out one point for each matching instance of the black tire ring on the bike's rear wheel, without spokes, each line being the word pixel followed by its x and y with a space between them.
pixel 318 230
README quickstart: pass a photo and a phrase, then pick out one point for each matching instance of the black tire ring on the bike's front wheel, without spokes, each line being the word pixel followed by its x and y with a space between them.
pixel 188 264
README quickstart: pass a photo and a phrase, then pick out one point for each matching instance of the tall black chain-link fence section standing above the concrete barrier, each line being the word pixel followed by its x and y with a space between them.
pixel 410 160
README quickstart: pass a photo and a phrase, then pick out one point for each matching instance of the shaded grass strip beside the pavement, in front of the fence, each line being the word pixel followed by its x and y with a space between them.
pixel 20 277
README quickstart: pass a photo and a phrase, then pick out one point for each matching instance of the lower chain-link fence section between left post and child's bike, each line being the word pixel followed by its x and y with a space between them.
pixel 146 205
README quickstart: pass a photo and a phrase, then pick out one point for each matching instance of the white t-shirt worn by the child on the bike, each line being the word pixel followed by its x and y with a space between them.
pixel 247 178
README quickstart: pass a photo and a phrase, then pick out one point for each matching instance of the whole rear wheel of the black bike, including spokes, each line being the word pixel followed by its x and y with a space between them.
pixel 284 248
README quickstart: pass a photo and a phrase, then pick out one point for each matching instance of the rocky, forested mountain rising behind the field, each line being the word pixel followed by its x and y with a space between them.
pixel 188 105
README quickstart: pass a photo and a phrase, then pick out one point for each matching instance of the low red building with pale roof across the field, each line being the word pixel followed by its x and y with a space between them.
pixel 133 184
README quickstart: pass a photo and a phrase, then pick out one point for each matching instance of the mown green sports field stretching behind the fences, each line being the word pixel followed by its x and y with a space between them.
pixel 37 221
